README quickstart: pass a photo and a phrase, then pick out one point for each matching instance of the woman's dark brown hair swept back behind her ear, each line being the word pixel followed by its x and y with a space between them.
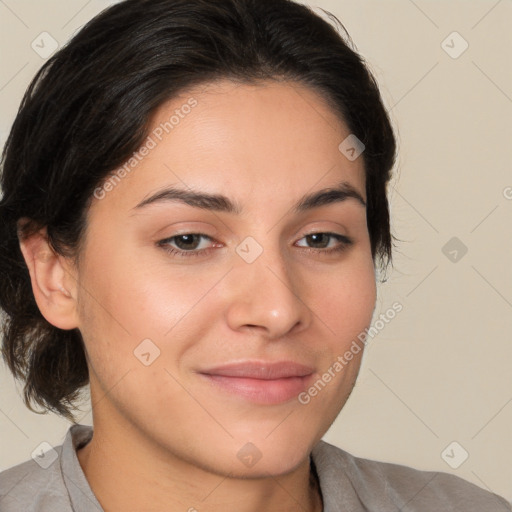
pixel 88 110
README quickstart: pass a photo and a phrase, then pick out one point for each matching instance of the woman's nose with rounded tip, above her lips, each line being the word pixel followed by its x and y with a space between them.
pixel 267 295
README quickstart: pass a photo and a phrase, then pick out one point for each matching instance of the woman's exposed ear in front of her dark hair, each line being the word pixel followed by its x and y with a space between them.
pixel 53 280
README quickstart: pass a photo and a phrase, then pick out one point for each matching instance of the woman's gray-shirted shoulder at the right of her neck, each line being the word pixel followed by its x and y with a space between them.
pixel 384 486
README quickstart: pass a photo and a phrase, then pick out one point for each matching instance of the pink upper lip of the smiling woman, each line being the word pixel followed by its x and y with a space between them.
pixel 261 370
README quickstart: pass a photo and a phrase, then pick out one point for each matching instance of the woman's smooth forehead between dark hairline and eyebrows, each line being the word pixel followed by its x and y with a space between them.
pixel 242 138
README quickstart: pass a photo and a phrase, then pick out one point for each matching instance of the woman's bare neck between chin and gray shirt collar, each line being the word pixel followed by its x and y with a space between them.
pixel 126 472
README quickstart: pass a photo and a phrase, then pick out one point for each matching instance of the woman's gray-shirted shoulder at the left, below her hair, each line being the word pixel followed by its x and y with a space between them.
pixel 30 486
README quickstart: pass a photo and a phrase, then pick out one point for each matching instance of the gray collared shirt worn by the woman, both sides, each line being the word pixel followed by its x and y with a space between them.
pixel 348 484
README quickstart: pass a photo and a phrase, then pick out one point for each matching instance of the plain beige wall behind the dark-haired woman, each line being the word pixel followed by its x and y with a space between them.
pixel 440 370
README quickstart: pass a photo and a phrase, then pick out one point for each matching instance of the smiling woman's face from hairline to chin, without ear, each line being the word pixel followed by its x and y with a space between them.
pixel 251 285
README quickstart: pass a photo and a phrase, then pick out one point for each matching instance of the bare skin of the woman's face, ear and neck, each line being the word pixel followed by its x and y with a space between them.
pixel 163 438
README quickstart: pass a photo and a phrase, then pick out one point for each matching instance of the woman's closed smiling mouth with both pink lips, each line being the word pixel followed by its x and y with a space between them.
pixel 260 382
